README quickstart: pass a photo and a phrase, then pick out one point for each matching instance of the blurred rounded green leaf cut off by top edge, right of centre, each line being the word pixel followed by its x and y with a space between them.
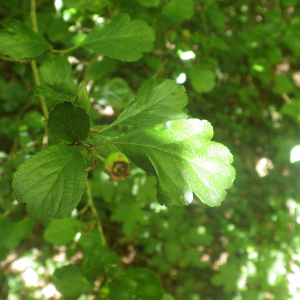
pixel 179 10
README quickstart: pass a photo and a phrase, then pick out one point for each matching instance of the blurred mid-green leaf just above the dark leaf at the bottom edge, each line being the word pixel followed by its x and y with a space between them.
pixel 95 259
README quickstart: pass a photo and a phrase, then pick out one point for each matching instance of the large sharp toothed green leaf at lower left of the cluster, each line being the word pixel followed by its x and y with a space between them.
pixel 51 182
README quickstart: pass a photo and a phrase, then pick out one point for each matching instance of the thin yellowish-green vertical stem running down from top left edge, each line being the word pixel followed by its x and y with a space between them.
pixel 36 74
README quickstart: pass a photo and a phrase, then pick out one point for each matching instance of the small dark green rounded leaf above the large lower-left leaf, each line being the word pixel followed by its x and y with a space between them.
pixel 69 124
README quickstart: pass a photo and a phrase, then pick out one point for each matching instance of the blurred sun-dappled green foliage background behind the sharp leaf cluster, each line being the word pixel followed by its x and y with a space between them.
pixel 243 77
